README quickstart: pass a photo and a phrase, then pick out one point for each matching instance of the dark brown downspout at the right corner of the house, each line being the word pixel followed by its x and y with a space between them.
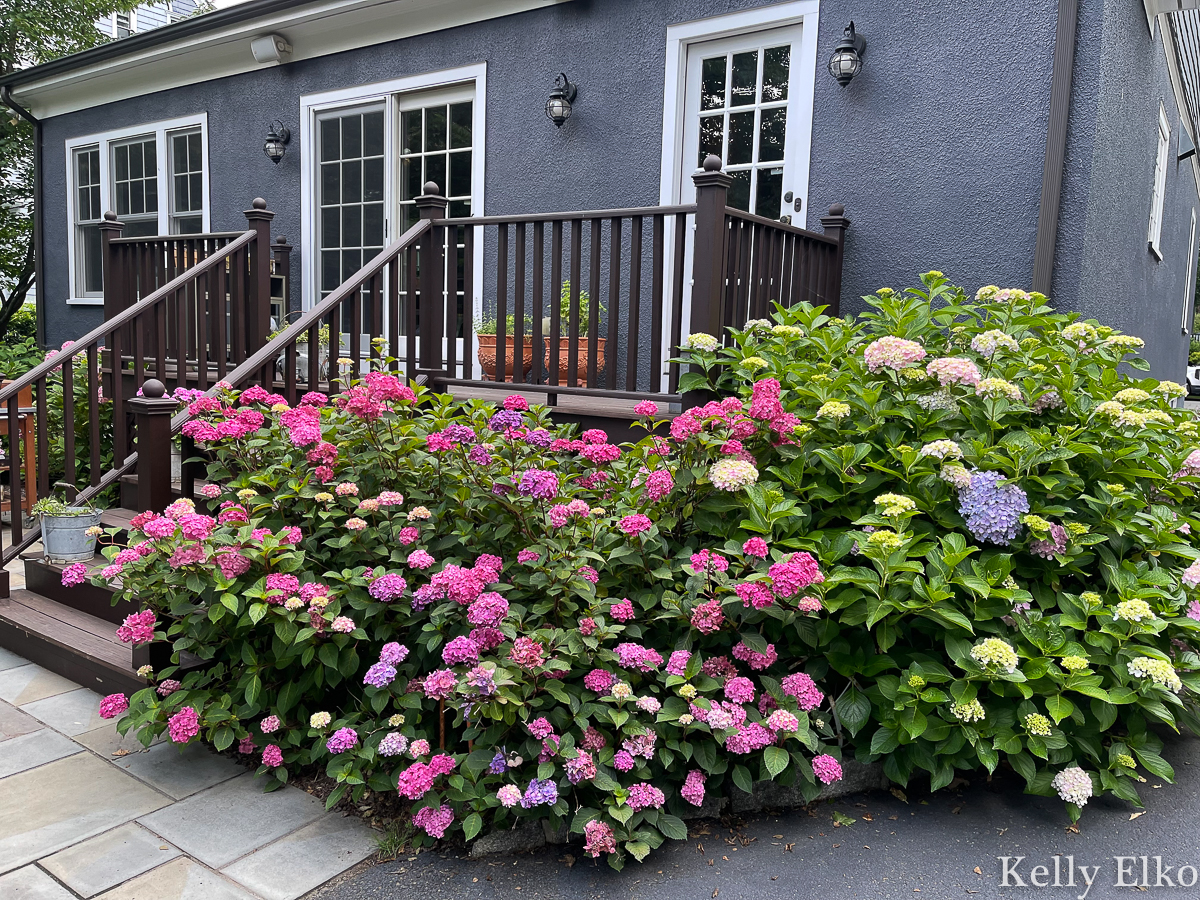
pixel 1057 146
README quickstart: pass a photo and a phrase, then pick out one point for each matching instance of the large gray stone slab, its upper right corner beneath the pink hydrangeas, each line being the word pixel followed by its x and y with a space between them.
pixel 223 824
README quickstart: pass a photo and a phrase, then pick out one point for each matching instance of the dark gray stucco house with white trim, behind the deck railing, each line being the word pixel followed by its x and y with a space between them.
pixel 1045 143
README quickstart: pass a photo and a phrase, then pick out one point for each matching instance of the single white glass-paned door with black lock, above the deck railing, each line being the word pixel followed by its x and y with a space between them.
pixel 741 100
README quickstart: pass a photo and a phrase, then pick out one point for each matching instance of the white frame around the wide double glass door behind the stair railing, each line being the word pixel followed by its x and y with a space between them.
pixel 388 94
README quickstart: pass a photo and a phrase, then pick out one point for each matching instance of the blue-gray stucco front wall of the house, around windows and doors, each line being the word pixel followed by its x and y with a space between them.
pixel 935 149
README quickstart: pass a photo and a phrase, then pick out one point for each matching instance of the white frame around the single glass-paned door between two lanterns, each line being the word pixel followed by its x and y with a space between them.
pixel 800 127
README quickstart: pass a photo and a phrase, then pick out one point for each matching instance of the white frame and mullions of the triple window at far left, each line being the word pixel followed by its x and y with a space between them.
pixel 105 141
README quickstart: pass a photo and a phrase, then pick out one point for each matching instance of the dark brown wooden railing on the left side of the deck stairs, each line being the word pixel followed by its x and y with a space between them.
pixel 177 334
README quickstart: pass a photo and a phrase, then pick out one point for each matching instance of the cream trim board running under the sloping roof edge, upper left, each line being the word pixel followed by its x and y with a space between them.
pixel 314 29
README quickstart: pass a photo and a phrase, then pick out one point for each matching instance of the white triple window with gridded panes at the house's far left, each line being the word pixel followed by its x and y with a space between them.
pixel 154 177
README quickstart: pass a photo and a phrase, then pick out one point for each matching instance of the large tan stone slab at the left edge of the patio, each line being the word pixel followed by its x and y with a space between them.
pixel 50 808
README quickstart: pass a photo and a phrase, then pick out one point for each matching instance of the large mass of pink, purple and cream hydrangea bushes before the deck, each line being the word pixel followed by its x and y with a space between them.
pixel 949 536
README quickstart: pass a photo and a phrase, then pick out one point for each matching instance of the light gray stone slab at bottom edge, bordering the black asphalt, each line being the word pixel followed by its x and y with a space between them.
pixel 295 866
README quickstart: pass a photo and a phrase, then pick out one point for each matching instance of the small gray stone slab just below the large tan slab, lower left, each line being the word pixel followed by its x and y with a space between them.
pixel 110 860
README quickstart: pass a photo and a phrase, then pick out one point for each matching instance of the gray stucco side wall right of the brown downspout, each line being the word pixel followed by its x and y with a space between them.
pixel 1105 266
